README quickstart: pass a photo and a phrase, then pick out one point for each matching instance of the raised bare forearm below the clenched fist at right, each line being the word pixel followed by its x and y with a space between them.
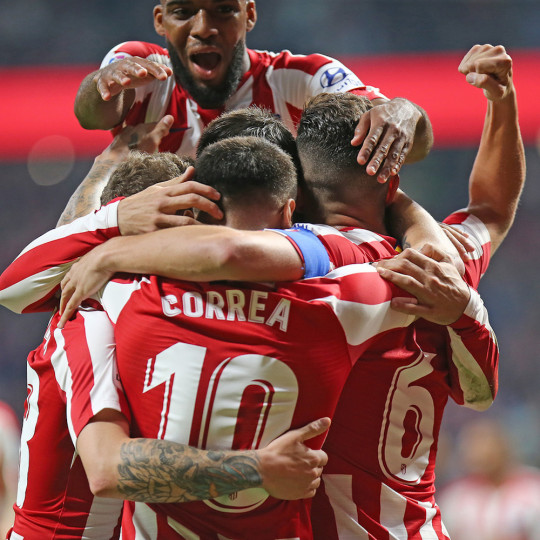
pixel 498 173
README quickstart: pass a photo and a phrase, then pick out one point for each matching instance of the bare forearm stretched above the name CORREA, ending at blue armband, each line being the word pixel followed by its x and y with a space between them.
pixel 205 253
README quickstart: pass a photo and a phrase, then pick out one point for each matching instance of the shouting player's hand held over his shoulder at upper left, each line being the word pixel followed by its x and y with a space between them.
pixel 131 72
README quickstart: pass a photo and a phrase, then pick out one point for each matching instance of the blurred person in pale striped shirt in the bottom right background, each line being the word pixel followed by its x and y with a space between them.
pixel 498 498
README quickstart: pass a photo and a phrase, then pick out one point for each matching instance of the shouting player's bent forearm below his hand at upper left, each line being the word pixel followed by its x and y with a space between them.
pixel 95 113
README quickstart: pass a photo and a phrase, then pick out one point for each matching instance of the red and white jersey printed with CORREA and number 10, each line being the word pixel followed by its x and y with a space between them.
pixel 222 366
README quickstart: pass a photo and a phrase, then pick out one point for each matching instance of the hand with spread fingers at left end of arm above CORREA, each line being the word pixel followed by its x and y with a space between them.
pixel 84 278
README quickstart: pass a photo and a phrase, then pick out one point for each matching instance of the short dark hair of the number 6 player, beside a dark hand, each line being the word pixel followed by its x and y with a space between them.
pixel 326 129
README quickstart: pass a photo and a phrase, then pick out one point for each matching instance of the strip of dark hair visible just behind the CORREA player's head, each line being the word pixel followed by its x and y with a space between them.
pixel 250 122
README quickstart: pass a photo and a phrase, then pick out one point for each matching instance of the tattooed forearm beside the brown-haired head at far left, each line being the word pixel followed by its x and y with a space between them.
pixel 86 196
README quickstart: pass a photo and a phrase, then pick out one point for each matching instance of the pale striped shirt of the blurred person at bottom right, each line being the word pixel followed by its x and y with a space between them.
pixel 475 509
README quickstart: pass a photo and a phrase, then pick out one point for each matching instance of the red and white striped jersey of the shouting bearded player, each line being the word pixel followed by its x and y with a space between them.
pixel 280 82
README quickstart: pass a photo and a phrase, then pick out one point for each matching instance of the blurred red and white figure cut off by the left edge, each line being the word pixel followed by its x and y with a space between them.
pixel 10 434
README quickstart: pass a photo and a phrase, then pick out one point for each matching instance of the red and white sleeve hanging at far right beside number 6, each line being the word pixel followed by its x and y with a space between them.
pixel 475 357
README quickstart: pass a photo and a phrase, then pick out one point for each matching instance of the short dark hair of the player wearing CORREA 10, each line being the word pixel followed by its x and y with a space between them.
pixel 247 171
